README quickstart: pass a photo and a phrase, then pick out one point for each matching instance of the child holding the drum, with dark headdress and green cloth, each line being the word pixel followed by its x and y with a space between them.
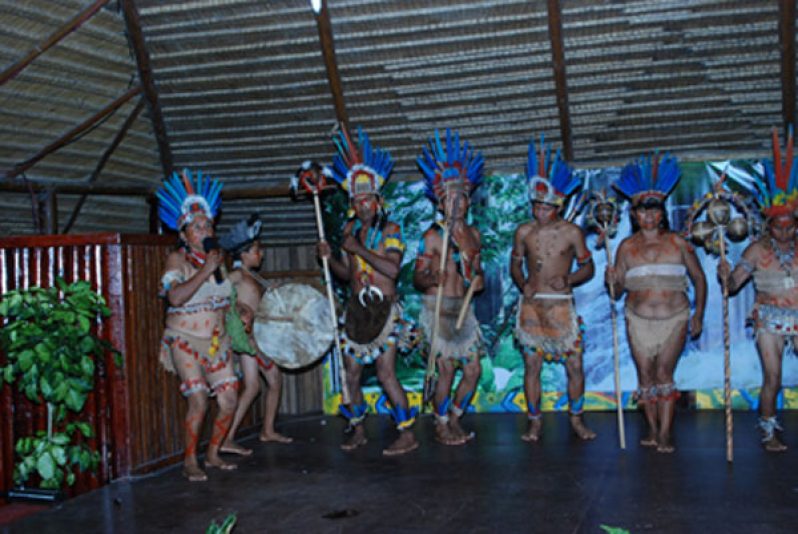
pixel 242 242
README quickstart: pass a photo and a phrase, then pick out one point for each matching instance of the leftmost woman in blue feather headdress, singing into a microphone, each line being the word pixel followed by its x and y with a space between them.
pixel 195 343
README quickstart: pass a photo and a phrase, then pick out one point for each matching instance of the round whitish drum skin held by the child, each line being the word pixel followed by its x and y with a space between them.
pixel 293 325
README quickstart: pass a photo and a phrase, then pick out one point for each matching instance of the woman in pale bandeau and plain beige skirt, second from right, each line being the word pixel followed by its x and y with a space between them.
pixel 652 265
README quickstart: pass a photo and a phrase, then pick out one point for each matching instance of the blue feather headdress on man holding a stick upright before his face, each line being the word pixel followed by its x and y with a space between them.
pixel 451 167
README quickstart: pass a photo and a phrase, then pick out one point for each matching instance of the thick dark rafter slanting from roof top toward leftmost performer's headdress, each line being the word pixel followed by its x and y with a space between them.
pixel 133 23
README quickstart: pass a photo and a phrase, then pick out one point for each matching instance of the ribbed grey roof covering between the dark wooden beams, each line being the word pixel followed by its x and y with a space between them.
pixel 244 92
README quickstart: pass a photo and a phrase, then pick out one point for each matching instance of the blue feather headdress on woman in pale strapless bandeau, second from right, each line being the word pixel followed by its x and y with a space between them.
pixel 649 178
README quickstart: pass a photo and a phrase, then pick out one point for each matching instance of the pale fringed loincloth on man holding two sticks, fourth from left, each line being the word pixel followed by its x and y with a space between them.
pixel 449 343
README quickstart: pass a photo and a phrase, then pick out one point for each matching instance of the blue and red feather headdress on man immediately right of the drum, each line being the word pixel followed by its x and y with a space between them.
pixel 363 171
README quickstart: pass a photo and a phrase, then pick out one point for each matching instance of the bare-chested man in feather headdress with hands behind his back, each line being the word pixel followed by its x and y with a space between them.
pixel 547 326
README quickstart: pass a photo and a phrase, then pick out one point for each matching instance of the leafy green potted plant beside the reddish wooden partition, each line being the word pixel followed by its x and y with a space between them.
pixel 50 350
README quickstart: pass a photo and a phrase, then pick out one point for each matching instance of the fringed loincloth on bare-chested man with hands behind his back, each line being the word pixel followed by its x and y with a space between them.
pixel 547 325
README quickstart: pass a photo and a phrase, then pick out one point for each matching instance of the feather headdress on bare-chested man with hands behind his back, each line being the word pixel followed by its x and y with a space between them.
pixel 549 181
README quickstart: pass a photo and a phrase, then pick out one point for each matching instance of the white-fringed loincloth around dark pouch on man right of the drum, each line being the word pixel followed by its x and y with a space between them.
pixel 393 332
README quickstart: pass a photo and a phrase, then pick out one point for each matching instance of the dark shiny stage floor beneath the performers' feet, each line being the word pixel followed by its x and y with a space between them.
pixel 495 484
